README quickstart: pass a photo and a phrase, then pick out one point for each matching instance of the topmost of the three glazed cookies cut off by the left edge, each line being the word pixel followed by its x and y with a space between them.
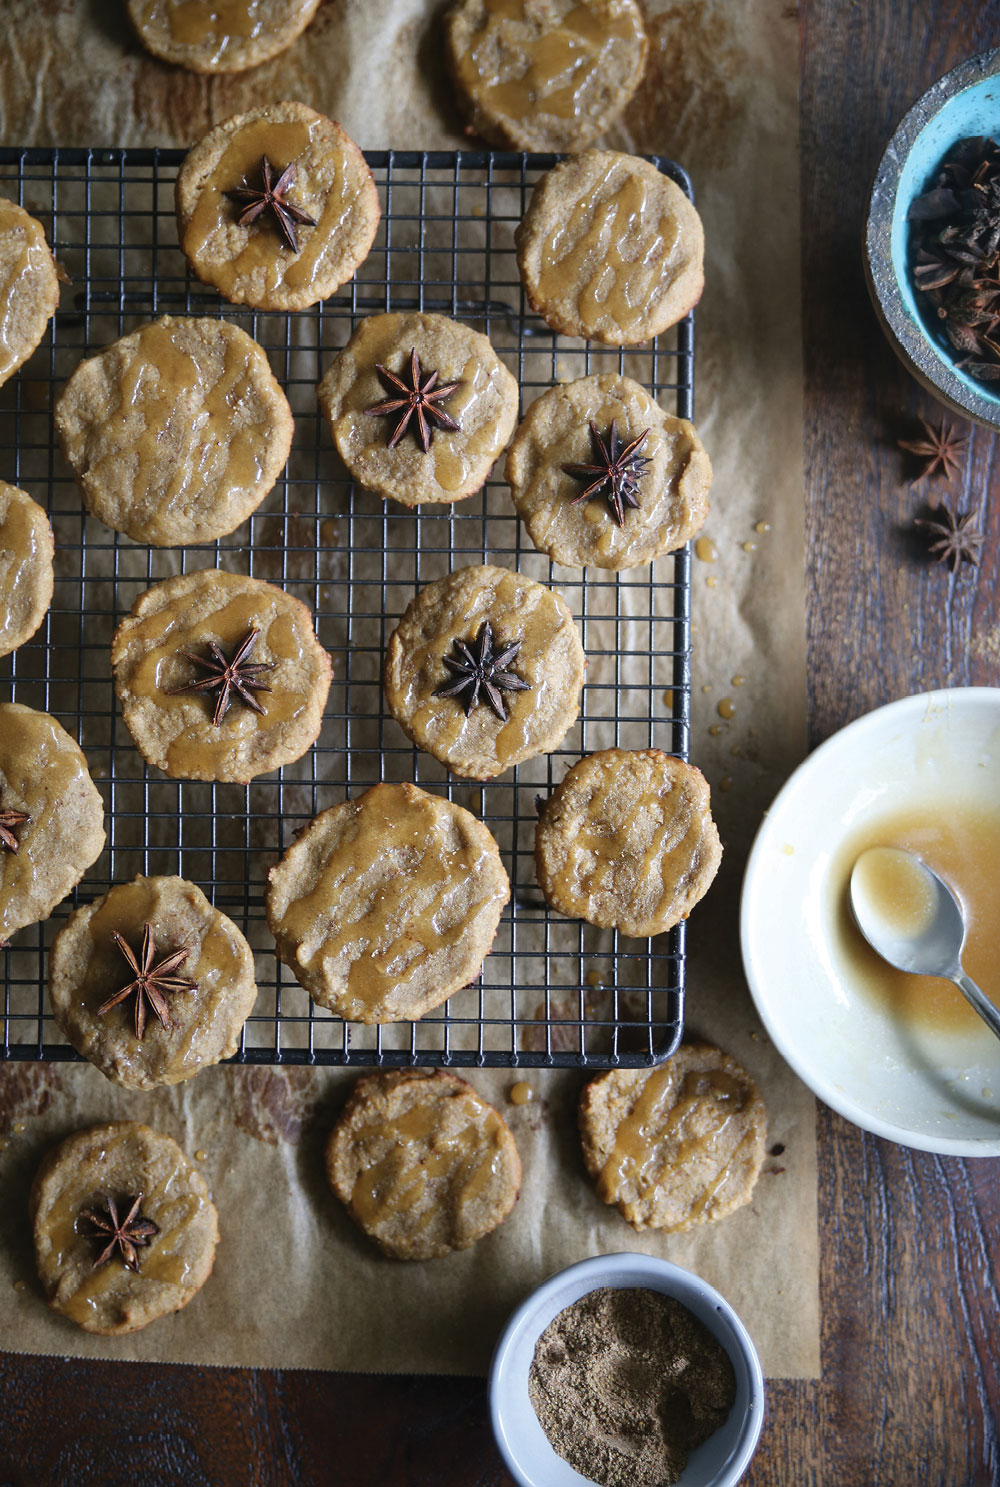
pixel 29 286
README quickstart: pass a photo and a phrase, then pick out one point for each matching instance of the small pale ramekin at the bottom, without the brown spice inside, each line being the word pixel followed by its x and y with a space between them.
pixel 525 1446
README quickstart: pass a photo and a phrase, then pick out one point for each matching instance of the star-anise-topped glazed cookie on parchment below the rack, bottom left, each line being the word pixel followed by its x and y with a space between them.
pixel 124 1228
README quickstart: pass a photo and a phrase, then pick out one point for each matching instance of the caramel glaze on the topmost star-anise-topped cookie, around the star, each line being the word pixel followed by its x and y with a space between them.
pixel 215 218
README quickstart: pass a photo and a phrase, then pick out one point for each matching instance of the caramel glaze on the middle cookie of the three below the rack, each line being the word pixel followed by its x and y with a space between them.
pixel 420 1156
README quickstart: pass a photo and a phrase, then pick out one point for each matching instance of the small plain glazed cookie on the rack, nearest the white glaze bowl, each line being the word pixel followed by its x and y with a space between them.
pixel 627 842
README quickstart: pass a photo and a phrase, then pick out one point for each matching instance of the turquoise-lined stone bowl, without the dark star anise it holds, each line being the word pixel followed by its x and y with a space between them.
pixel 965 102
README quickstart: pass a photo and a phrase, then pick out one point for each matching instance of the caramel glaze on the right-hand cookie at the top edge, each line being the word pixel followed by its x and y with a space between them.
pixel 547 69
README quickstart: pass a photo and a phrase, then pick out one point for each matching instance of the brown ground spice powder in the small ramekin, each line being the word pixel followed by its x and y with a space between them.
pixel 626 1384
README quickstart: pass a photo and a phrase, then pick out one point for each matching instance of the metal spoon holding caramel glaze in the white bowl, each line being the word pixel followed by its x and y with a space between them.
pixel 914 921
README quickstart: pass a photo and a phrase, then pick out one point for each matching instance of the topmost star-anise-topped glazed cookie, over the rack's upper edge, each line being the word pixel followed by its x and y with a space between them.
pixel 276 207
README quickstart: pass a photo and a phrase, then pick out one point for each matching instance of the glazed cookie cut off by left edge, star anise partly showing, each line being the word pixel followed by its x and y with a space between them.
pixel 51 817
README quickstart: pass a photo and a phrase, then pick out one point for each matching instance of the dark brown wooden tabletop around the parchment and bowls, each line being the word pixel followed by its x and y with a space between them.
pixel 910 1242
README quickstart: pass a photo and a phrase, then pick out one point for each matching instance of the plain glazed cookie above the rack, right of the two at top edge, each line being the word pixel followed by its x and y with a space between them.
pixel 544 75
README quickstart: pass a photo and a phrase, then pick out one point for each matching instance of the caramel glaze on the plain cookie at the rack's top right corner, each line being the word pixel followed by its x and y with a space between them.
pixel 621 255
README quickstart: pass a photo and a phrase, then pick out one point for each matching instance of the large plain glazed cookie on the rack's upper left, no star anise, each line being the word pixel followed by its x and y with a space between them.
pixel 175 433
